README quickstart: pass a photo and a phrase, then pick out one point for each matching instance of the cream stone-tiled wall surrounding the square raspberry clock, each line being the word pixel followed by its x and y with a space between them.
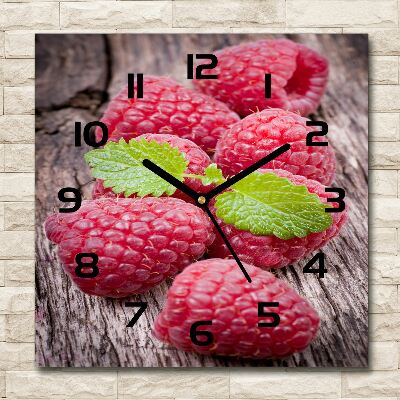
pixel 18 23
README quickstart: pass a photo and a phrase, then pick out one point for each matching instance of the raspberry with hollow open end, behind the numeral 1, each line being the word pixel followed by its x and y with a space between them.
pixel 298 76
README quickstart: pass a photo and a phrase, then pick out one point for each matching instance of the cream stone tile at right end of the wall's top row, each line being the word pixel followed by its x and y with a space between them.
pixel 341 13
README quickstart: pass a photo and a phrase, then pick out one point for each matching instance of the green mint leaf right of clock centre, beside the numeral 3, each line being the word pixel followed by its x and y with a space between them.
pixel 266 204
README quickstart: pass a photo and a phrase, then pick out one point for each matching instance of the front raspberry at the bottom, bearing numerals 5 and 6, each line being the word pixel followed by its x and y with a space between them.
pixel 216 290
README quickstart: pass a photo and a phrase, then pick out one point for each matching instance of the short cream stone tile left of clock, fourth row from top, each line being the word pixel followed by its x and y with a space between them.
pixel 19 100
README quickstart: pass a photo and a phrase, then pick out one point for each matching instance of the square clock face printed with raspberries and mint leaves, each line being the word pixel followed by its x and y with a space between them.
pixel 201 200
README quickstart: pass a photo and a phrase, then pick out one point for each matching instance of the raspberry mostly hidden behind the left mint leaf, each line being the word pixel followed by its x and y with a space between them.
pixel 198 161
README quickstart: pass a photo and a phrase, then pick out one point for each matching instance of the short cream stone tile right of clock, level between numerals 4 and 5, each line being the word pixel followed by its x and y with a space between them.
pixel 383 299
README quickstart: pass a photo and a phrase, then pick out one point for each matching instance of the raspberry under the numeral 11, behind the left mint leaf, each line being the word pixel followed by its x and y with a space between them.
pixel 168 107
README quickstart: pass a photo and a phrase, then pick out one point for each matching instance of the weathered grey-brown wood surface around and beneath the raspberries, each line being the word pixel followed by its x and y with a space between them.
pixel 76 75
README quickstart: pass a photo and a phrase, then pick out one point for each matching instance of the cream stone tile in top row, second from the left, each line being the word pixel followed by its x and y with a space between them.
pixel 104 14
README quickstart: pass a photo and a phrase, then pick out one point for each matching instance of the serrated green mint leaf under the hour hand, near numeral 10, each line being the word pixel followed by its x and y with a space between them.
pixel 120 166
